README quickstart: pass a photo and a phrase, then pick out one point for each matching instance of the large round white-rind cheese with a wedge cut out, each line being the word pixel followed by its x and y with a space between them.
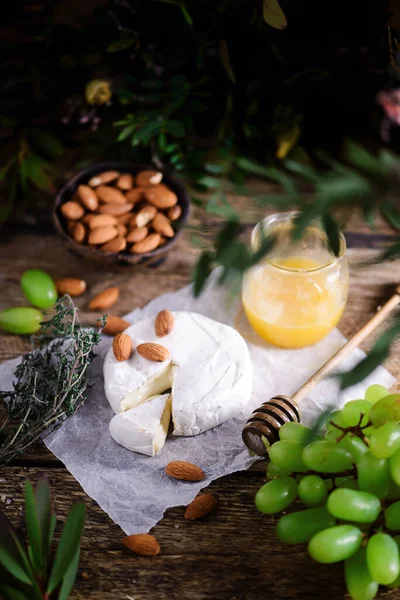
pixel 209 372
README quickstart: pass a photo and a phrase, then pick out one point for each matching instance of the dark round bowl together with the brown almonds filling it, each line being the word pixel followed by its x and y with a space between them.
pixel 121 213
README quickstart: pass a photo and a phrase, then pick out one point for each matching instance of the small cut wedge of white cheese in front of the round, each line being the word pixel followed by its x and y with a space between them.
pixel 145 427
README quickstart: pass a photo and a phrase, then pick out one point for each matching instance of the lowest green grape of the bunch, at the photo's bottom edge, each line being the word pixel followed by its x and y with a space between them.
pixel 359 583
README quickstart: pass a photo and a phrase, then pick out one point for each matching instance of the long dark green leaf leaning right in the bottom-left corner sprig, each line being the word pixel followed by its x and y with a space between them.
pixel 68 546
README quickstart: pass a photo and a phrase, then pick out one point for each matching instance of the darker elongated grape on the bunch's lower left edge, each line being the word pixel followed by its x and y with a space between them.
pixel 300 527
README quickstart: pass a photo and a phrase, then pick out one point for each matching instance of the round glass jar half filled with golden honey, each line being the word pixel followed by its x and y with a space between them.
pixel 296 295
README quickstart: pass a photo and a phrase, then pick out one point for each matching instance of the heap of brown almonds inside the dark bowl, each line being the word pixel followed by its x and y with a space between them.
pixel 119 212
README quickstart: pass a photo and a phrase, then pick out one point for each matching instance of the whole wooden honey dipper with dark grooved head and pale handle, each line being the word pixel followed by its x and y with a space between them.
pixel 270 416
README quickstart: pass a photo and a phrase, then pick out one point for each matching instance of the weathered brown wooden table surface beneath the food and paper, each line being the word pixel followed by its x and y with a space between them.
pixel 232 554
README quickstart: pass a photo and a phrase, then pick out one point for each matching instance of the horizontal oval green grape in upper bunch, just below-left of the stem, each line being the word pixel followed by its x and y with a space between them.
pixel 327 457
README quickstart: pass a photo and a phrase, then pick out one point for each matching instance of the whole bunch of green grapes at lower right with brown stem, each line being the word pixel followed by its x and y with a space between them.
pixel 349 482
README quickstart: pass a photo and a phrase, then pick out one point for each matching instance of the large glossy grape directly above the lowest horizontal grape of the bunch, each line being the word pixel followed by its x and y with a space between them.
pixel 353 505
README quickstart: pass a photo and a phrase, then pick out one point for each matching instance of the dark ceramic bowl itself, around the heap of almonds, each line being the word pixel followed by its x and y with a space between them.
pixel 98 256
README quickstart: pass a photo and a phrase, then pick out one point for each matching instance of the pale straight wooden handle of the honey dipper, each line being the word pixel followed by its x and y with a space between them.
pixel 357 338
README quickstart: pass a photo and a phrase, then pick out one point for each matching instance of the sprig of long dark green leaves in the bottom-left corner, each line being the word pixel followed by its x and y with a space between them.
pixel 35 572
